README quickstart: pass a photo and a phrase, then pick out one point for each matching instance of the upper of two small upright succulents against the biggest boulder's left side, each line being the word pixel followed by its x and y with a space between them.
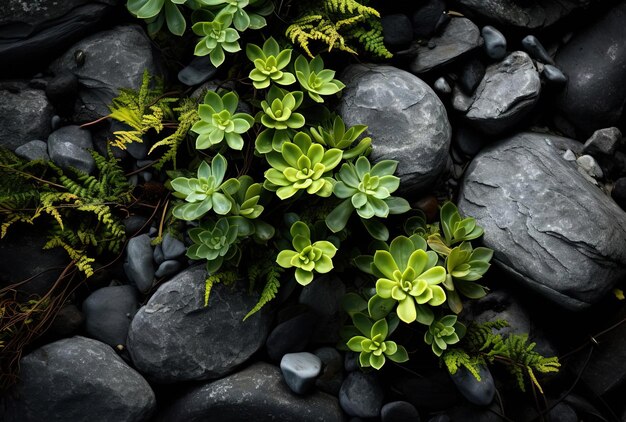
pixel 455 229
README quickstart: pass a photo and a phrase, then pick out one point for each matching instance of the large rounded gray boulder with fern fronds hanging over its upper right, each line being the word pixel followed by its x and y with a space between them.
pixel 176 338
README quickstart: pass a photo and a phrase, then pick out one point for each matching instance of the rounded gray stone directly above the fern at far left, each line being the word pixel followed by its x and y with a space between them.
pixel 68 147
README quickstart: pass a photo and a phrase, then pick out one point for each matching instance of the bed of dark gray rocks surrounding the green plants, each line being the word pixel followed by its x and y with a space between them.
pixel 514 107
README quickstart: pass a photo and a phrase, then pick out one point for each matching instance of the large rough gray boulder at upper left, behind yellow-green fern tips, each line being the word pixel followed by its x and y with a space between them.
pixel 126 49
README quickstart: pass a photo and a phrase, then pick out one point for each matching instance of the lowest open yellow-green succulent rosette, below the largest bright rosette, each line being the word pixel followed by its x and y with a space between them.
pixel 373 346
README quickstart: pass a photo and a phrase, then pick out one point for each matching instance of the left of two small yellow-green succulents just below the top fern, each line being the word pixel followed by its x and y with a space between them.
pixel 269 63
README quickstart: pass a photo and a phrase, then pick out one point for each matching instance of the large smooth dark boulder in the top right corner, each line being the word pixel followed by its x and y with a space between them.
pixel 595 64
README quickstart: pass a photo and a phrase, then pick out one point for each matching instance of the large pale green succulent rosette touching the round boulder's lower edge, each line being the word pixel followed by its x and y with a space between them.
pixel 367 190
